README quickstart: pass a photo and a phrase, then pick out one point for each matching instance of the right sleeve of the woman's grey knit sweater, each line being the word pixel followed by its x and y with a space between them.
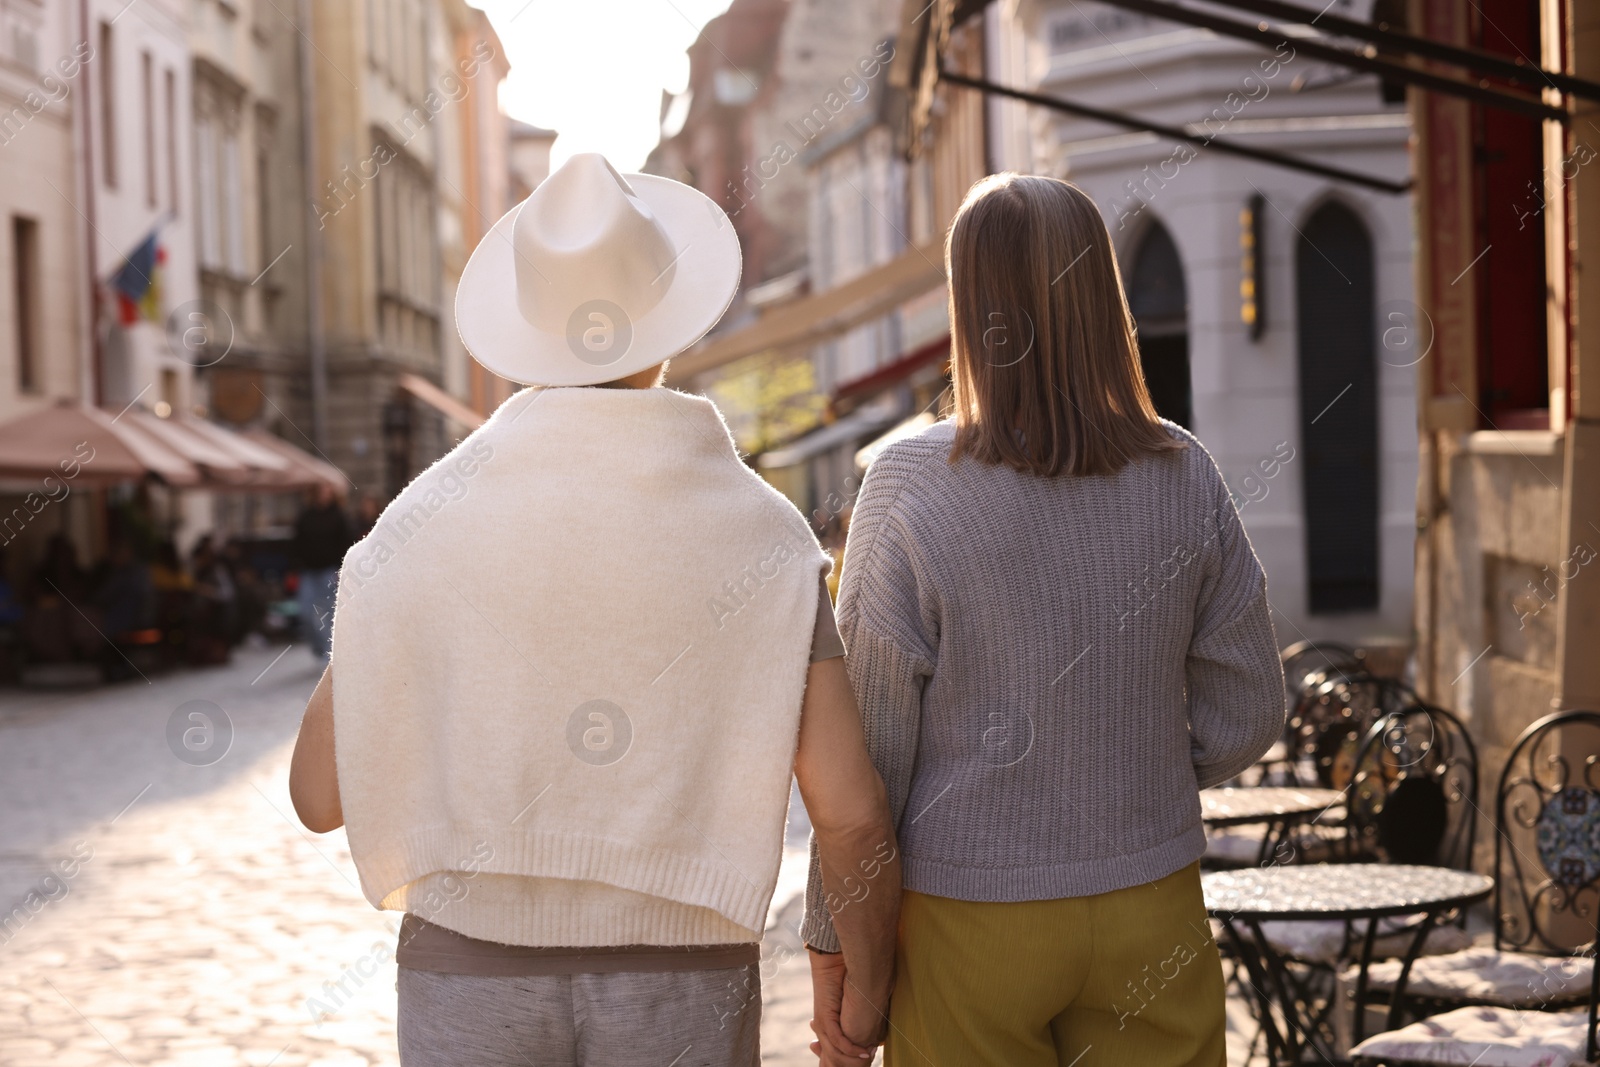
pixel 1233 673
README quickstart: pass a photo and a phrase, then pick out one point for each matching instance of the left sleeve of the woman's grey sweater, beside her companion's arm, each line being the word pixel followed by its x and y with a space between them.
pixel 890 639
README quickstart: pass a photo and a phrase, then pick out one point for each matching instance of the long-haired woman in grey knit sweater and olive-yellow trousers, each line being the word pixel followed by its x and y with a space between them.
pixel 1058 634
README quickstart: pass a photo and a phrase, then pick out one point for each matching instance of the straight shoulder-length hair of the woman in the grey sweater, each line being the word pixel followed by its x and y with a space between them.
pixel 1044 361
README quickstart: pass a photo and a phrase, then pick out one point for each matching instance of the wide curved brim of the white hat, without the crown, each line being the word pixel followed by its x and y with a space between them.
pixel 703 284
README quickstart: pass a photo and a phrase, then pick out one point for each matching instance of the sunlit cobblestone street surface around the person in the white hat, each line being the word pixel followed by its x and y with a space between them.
pixel 169 914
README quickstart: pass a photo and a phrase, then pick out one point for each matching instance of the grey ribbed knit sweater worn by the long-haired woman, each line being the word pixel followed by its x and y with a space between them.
pixel 1049 669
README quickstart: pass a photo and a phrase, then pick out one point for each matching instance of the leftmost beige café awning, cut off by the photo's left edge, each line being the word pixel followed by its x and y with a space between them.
pixel 87 447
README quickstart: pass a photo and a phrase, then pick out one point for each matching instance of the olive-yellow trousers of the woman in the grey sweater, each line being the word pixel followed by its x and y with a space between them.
pixel 1119 980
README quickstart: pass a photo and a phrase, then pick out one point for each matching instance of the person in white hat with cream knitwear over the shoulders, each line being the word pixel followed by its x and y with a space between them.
pixel 574 668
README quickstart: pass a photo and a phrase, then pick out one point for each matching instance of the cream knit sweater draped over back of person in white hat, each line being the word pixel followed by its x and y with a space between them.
pixel 569 668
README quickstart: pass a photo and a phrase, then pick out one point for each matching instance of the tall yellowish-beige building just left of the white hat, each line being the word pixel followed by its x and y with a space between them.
pixel 383 76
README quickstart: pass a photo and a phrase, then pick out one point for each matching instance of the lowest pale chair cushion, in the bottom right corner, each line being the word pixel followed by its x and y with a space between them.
pixel 1486 1037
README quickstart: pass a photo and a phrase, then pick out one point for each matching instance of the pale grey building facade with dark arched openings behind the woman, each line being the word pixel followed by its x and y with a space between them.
pixel 1260 292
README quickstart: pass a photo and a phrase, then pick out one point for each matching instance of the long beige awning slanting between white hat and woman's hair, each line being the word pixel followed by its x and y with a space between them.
pixel 823 316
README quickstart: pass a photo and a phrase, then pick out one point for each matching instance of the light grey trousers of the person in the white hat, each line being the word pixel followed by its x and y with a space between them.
pixel 658 1020
